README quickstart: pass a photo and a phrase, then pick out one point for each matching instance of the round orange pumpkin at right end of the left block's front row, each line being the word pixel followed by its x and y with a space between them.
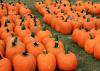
pixel 67 61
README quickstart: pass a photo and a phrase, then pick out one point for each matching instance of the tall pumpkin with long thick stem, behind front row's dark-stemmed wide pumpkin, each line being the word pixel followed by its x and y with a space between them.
pixel 14 47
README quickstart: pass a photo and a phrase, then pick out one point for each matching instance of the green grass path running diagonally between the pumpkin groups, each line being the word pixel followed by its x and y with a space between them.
pixel 85 62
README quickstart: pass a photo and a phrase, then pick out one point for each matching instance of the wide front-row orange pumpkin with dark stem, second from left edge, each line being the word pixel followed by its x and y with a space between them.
pixel 24 62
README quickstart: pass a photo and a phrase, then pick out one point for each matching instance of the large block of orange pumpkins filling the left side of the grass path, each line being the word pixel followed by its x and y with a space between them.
pixel 25 45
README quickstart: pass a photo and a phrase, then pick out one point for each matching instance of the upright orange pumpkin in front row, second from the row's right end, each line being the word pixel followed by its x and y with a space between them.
pixel 46 61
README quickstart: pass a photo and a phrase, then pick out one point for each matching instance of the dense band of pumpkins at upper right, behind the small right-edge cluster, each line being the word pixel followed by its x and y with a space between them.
pixel 65 21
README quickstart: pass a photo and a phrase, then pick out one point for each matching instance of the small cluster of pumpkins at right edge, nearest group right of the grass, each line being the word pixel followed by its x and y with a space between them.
pixel 89 40
